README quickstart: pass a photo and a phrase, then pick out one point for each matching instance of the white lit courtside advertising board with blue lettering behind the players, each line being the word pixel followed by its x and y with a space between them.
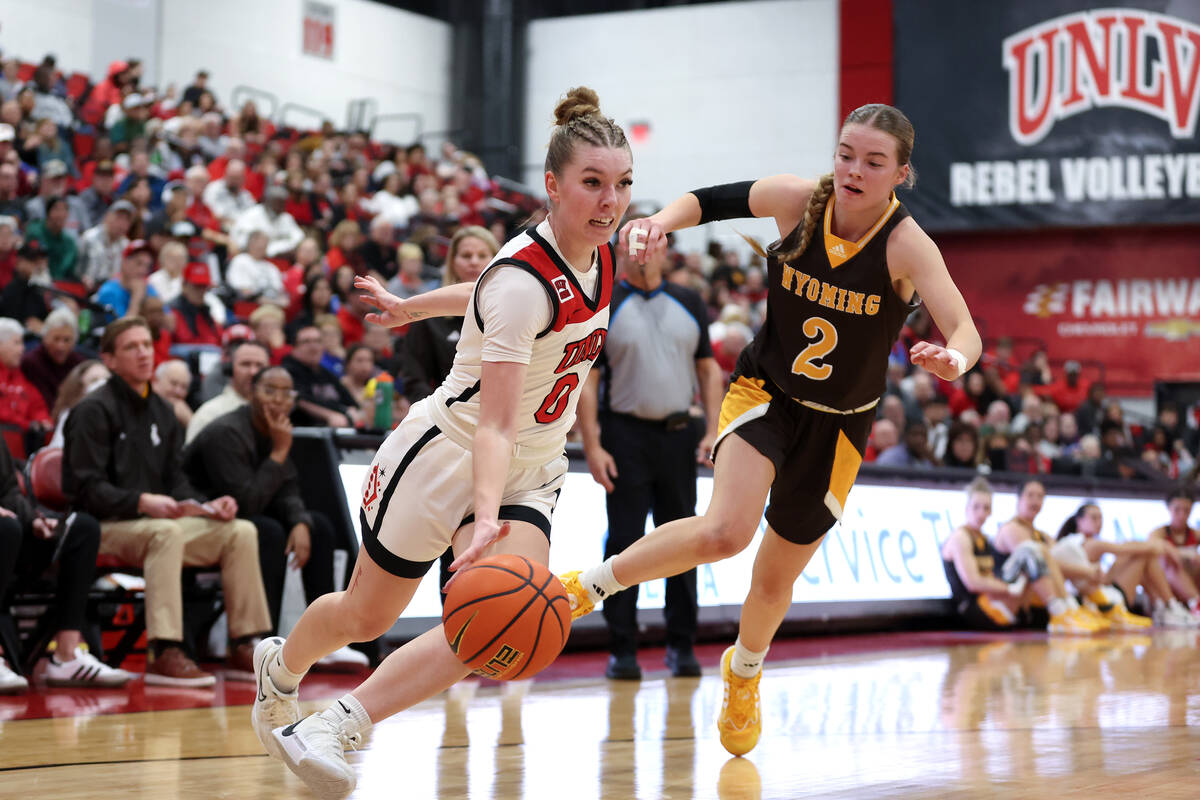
pixel 887 548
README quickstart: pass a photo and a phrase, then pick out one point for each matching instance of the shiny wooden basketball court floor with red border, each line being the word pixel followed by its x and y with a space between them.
pixel 915 715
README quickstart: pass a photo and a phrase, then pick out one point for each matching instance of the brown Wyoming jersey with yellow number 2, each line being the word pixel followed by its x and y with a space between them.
pixel 832 317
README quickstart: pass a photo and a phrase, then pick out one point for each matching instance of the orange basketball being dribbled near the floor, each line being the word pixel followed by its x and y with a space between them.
pixel 507 618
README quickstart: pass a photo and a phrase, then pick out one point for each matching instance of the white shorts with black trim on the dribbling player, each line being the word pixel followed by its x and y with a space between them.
pixel 421 491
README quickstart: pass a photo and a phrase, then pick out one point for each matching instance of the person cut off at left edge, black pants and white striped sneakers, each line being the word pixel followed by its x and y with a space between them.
pixel 32 542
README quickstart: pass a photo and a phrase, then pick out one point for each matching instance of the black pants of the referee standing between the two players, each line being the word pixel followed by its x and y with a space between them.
pixel 656 472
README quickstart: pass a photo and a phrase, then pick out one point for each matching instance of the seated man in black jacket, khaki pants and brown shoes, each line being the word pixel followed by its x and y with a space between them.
pixel 123 465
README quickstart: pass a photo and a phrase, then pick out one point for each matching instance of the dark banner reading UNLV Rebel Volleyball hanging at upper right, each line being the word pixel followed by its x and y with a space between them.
pixel 1051 113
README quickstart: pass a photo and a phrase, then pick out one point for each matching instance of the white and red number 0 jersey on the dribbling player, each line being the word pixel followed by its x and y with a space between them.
pixel 562 353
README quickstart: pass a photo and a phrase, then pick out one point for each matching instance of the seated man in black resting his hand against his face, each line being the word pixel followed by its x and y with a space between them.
pixel 245 454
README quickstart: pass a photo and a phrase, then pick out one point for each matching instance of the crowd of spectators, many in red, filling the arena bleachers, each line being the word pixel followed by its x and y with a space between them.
pixel 219 227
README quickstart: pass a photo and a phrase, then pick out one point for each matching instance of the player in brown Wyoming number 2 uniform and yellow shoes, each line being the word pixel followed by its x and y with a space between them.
pixel 849 268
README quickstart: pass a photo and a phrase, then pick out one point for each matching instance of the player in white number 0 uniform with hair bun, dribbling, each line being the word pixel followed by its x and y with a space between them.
pixel 478 465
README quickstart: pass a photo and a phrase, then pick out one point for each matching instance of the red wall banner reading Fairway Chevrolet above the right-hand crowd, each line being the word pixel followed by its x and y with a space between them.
pixel 1129 300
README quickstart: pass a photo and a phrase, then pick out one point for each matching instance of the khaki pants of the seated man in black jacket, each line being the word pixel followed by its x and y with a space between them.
pixel 163 548
